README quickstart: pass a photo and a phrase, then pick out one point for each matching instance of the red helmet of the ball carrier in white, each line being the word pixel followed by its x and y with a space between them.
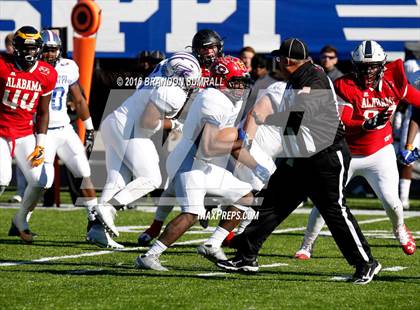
pixel 231 77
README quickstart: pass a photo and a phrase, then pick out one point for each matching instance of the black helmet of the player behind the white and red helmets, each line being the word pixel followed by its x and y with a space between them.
pixel 207 45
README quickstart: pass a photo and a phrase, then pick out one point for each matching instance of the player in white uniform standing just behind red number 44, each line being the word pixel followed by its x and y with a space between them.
pixel 62 139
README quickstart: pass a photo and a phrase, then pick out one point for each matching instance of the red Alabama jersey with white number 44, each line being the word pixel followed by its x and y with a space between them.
pixel 20 92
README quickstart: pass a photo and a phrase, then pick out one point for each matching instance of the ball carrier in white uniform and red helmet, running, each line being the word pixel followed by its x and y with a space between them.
pixel 197 165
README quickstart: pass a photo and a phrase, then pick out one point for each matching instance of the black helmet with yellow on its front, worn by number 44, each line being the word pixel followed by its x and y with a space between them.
pixel 27 44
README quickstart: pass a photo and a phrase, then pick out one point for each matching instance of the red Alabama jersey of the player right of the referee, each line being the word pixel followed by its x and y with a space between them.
pixel 361 104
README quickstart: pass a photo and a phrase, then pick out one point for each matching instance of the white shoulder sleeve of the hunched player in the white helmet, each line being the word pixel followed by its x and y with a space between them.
pixel 169 100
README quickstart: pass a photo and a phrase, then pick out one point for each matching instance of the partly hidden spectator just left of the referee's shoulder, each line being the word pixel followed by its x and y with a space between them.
pixel 261 75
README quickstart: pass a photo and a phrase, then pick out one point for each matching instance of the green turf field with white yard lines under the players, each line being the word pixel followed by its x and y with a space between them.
pixel 61 271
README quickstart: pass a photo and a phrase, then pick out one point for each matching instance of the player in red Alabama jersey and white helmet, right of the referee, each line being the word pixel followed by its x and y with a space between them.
pixel 370 96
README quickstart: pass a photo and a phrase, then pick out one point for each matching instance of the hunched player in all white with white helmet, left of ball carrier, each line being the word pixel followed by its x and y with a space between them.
pixel 130 152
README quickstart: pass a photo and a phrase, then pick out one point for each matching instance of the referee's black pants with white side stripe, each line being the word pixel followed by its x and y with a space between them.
pixel 322 178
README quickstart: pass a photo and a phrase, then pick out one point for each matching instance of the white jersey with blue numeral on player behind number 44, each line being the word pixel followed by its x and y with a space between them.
pixel 68 74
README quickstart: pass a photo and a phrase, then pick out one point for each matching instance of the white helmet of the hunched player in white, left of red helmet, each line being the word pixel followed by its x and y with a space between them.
pixel 184 66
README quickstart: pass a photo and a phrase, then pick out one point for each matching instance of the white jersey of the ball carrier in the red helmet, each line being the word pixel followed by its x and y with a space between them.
pixel 209 106
